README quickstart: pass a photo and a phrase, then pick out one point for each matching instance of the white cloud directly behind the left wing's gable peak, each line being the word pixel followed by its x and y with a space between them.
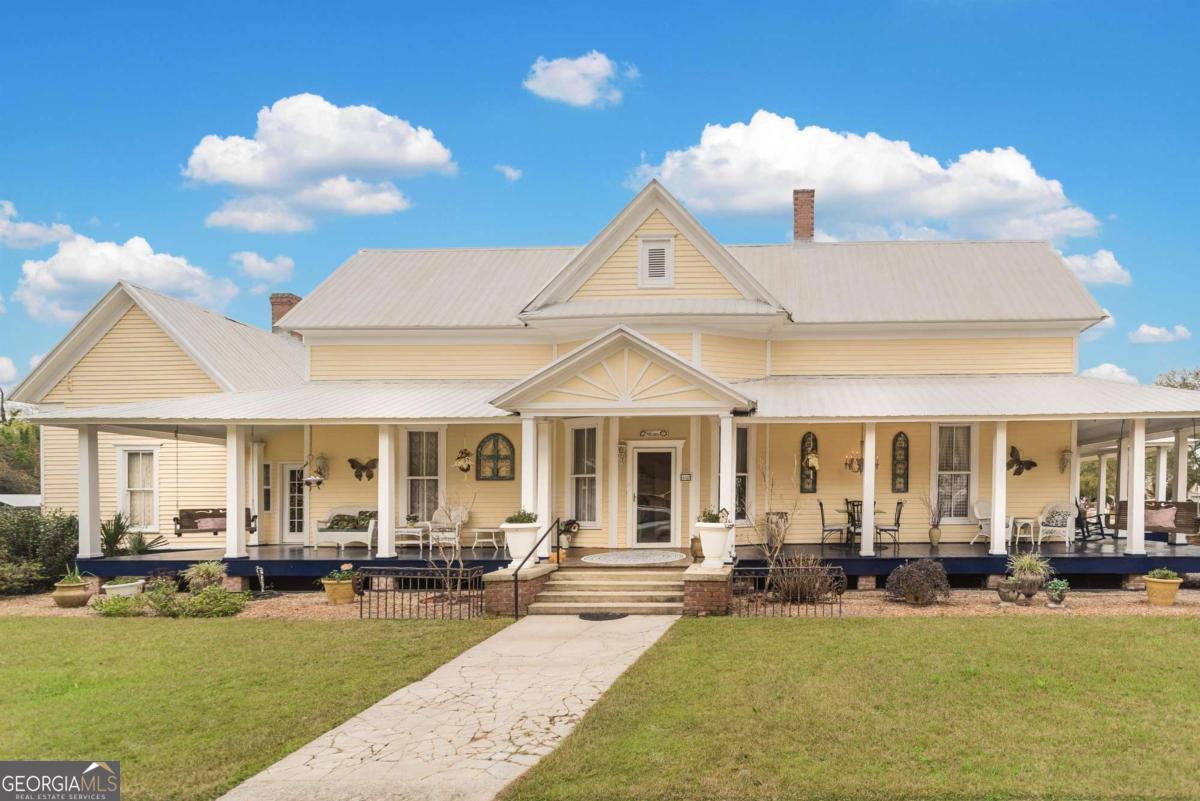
pixel 62 287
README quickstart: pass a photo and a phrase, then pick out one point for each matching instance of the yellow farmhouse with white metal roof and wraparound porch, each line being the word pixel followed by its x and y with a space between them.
pixel 626 386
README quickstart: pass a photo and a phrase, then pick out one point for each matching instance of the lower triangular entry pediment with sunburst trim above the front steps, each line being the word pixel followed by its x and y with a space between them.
pixel 621 372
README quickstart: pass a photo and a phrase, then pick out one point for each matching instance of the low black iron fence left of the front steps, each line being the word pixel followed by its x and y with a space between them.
pixel 449 593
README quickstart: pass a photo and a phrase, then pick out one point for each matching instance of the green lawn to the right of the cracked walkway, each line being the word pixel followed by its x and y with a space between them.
pixel 1030 708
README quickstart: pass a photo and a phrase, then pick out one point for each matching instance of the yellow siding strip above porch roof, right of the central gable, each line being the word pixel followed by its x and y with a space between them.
pixel 914 357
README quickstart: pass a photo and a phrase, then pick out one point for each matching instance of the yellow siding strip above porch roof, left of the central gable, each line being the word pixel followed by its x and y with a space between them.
pixel 446 362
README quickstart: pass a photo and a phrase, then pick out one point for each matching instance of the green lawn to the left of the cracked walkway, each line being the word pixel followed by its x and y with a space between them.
pixel 194 707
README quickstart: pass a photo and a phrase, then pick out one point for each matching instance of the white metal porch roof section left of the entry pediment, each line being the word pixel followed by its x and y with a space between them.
pixel 319 401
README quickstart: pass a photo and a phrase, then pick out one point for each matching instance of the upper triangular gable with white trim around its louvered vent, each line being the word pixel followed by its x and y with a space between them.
pixel 608 267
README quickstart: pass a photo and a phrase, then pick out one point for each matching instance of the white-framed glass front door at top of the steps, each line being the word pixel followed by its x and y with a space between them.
pixel 655 501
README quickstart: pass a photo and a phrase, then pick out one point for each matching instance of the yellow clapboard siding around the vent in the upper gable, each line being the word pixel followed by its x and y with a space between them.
pixel 694 275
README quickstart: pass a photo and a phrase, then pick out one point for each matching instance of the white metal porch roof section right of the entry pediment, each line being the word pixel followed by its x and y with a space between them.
pixel 881 398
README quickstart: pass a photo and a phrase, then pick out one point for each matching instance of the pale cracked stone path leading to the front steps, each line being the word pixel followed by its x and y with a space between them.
pixel 472 726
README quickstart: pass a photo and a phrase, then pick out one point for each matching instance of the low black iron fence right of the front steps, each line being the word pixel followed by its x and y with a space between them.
pixel 789 592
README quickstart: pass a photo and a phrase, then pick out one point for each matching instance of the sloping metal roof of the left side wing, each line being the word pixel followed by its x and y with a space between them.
pixel 245 357
